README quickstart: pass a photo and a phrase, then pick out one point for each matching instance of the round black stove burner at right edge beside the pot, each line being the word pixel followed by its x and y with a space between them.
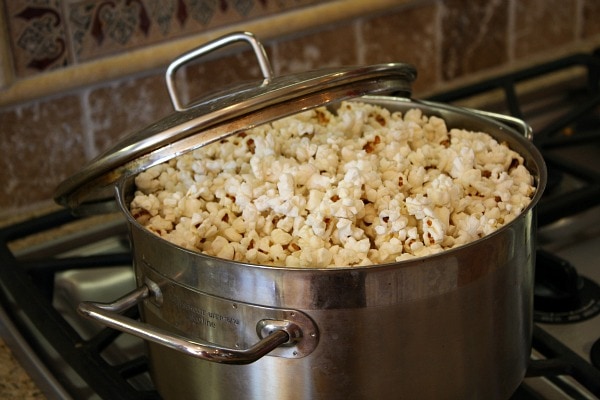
pixel 561 295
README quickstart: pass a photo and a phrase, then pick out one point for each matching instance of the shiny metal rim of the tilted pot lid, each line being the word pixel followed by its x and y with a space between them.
pixel 91 187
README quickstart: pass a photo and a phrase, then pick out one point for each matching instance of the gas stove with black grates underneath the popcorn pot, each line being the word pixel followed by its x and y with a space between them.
pixel 50 263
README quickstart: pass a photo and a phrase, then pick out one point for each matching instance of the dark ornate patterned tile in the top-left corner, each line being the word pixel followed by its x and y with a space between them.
pixel 38 37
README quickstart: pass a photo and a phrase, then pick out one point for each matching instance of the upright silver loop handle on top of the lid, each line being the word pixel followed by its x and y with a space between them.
pixel 259 51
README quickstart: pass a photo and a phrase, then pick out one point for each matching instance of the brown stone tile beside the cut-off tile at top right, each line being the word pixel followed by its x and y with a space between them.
pixel 541 25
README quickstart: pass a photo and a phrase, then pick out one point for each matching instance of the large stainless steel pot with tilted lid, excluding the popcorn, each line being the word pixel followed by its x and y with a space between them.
pixel 455 325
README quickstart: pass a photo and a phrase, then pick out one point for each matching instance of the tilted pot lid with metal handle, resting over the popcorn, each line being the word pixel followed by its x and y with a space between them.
pixel 91 190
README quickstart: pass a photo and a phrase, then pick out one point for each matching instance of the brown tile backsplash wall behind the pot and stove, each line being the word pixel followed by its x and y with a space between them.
pixel 80 77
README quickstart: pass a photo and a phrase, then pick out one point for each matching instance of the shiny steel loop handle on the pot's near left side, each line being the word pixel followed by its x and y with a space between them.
pixel 282 332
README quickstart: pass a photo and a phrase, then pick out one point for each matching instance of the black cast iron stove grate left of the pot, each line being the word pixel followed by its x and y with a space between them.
pixel 26 296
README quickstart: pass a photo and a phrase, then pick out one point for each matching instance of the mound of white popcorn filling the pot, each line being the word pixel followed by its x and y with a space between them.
pixel 358 186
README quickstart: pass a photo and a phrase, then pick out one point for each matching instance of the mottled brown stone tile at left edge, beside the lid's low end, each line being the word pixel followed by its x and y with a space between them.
pixel 42 143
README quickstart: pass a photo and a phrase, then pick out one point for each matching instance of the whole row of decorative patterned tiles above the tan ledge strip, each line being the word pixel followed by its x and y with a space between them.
pixel 50 34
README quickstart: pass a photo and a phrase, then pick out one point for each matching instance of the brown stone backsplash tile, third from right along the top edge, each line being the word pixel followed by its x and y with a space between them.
pixel 474 36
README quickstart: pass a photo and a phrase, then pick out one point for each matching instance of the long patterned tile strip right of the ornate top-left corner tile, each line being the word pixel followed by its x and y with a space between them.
pixel 100 28
